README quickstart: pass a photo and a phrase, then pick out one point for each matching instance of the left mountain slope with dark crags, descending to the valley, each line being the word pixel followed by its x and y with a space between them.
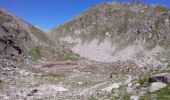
pixel 20 40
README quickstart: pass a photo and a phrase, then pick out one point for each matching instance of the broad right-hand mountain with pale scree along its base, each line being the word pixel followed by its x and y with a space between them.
pixel 113 31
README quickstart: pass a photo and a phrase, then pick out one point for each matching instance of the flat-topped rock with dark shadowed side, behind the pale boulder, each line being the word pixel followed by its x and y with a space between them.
pixel 163 77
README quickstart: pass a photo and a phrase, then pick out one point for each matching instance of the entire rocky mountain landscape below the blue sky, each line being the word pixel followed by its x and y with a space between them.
pixel 113 51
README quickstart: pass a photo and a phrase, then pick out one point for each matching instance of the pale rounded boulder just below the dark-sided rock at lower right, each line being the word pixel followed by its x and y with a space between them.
pixel 157 86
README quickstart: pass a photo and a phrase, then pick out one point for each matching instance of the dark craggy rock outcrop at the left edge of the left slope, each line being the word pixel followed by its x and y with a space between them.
pixel 13 37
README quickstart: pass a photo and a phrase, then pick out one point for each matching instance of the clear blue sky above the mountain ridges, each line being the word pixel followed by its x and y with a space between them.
pixel 47 14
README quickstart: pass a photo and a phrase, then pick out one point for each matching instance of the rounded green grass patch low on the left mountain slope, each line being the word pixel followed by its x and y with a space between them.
pixel 35 53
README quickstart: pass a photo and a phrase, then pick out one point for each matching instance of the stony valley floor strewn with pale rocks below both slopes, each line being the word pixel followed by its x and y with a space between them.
pixel 76 80
